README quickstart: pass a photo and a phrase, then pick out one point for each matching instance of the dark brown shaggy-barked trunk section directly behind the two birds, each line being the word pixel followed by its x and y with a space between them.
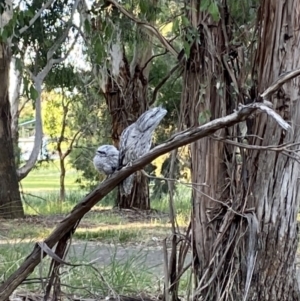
pixel 126 98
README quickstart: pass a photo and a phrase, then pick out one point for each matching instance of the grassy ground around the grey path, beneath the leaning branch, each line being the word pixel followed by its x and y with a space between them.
pixel 104 225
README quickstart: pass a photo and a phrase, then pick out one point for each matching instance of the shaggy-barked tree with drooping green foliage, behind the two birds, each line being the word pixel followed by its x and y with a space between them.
pixel 124 77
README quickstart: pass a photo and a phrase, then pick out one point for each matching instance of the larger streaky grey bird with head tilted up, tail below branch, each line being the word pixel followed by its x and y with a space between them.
pixel 136 139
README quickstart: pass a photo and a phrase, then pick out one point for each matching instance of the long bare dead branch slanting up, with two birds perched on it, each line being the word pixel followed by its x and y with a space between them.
pixel 66 227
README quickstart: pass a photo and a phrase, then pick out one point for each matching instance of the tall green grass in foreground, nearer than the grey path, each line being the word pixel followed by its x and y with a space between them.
pixel 121 276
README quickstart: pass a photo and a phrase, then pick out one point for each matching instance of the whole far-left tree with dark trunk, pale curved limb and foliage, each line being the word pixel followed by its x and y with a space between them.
pixel 35 34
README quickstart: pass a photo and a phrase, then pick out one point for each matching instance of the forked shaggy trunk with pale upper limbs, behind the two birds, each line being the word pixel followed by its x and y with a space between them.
pixel 125 92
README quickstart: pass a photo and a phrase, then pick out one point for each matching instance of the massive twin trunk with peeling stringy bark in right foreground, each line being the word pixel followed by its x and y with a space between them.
pixel 244 218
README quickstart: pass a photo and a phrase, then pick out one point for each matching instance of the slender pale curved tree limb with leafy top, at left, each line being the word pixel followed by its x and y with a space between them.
pixel 43 54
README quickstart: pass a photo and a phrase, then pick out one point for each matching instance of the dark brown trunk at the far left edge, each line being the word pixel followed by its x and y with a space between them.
pixel 10 200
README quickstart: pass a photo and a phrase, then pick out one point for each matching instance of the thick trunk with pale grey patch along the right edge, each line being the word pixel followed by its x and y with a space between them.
pixel 274 178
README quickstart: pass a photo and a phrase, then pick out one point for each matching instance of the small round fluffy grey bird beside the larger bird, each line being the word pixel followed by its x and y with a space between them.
pixel 106 159
